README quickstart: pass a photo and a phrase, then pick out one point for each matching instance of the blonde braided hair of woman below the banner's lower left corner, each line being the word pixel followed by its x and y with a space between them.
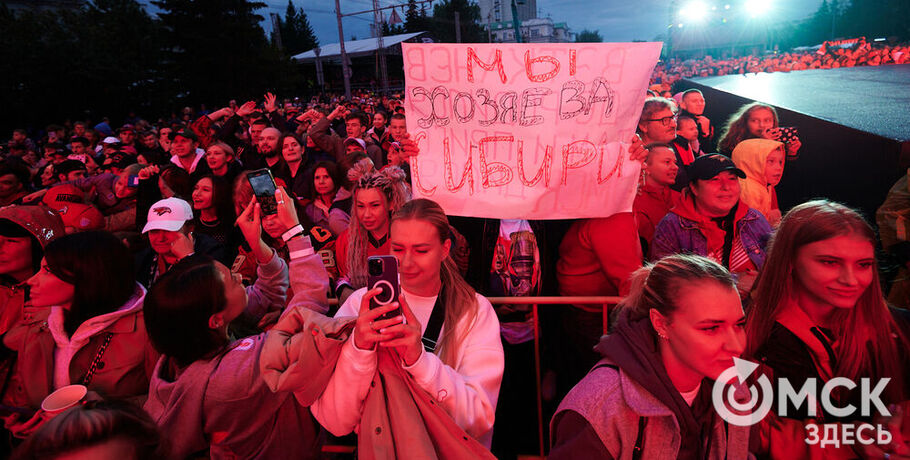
pixel 390 182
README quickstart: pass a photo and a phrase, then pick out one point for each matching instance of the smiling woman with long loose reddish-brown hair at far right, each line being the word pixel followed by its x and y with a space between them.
pixel 818 313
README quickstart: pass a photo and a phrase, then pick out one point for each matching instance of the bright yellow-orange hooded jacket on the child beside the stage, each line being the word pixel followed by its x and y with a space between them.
pixel 751 155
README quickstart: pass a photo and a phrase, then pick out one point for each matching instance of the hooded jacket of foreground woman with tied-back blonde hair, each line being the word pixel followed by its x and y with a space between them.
pixel 628 401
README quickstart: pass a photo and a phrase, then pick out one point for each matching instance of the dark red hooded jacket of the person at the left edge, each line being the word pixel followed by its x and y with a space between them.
pixel 45 226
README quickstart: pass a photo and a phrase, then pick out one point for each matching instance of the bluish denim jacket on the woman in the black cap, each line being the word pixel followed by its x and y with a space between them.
pixel 676 234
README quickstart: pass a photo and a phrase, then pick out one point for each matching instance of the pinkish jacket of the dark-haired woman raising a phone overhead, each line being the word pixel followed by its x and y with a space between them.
pixel 223 404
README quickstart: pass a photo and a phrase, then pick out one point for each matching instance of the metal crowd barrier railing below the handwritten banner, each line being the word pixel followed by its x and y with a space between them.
pixel 605 301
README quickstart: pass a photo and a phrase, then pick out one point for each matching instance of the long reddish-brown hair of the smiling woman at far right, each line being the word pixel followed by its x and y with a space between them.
pixel 867 347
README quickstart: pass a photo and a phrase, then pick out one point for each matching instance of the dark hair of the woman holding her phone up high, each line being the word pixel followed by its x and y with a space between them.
pixel 190 292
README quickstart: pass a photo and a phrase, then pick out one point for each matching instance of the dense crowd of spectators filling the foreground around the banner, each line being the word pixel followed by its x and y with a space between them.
pixel 139 261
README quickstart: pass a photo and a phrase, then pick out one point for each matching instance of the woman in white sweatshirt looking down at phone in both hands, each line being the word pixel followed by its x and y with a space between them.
pixel 462 370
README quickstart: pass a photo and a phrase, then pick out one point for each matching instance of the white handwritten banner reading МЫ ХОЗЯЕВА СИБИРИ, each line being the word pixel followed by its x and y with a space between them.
pixel 530 131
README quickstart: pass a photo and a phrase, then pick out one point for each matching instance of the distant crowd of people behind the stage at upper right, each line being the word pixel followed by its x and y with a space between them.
pixel 830 55
